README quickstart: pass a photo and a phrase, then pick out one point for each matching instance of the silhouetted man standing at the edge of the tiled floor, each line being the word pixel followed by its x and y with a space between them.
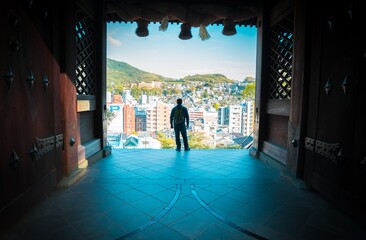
pixel 178 117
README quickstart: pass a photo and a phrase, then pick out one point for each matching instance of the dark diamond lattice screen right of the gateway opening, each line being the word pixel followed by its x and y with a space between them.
pixel 281 59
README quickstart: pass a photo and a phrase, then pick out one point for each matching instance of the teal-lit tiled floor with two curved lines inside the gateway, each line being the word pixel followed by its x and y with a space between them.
pixel 149 194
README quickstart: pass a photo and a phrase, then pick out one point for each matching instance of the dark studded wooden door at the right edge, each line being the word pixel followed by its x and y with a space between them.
pixel 337 117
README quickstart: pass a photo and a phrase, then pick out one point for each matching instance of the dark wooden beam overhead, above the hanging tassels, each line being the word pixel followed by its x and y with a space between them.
pixel 244 13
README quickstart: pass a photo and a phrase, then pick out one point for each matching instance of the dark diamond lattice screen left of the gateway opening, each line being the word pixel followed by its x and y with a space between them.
pixel 85 55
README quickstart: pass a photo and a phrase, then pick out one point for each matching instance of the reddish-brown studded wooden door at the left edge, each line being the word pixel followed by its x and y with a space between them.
pixel 27 113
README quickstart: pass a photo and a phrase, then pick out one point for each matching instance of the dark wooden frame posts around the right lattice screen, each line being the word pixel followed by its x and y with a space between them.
pixel 298 103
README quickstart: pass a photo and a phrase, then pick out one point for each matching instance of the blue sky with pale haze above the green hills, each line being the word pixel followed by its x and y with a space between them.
pixel 165 54
